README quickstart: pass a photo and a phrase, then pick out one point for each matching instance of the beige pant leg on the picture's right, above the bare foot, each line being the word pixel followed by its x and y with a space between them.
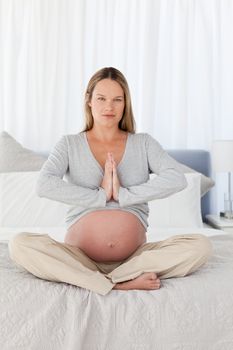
pixel 176 256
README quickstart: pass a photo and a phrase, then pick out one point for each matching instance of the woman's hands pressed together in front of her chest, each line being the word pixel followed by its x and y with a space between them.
pixel 110 181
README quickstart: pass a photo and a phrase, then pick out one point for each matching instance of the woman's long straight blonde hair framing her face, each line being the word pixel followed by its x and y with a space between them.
pixel 127 122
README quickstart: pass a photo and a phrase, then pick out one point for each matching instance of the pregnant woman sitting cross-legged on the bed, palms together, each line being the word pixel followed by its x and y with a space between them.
pixel 103 174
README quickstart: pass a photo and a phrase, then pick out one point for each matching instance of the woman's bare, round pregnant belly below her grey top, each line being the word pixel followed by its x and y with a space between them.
pixel 107 235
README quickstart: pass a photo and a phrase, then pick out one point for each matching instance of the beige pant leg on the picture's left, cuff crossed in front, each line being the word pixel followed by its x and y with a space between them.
pixel 55 261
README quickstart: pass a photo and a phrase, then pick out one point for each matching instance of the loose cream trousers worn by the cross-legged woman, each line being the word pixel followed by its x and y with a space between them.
pixel 48 259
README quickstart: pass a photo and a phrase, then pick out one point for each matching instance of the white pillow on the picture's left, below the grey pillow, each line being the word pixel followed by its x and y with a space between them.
pixel 21 207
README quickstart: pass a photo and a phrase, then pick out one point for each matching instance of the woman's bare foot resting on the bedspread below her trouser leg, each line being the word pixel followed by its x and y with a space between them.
pixel 146 281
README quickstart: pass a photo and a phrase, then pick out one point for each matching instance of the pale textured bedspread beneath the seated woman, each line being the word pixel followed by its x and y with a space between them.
pixel 190 313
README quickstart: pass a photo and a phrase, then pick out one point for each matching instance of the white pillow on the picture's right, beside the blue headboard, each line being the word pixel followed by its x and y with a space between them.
pixel 182 209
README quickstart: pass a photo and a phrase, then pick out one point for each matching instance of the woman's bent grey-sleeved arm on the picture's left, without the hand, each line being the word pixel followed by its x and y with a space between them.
pixel 51 185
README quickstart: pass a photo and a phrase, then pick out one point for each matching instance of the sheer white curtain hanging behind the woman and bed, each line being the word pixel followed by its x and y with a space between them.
pixel 176 55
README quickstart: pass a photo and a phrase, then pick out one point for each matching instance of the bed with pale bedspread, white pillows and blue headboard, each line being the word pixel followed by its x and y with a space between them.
pixel 194 312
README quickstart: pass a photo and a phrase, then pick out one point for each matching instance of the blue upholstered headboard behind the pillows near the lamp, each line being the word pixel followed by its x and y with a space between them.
pixel 199 160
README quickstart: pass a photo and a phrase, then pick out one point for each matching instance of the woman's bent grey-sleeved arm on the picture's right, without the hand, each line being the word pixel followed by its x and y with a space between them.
pixel 168 181
